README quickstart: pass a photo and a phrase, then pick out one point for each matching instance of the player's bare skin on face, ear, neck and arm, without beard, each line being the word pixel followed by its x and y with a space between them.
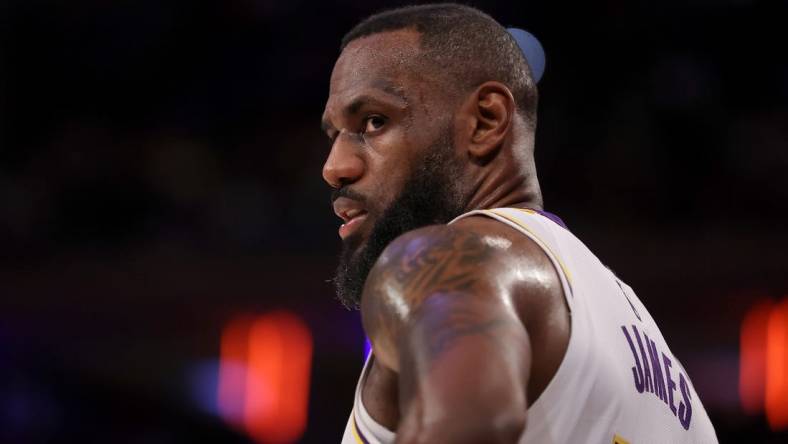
pixel 468 321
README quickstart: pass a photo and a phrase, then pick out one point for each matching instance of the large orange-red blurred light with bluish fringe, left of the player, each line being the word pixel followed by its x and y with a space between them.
pixel 264 376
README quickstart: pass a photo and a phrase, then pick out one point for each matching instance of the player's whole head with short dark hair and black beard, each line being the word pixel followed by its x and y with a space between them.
pixel 431 109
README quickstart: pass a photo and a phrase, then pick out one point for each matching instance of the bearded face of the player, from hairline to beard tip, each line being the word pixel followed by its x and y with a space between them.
pixel 392 163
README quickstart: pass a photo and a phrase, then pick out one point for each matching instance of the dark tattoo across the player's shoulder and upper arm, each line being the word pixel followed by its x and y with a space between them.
pixel 438 274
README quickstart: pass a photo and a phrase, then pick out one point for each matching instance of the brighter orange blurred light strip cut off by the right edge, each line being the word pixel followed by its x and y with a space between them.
pixel 777 367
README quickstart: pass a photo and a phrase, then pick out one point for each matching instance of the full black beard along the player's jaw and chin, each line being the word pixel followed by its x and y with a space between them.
pixel 430 196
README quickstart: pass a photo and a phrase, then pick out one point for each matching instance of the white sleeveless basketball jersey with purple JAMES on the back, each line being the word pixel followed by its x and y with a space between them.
pixel 618 381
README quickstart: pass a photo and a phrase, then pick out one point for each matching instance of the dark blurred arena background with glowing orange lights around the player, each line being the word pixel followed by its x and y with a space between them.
pixel 166 237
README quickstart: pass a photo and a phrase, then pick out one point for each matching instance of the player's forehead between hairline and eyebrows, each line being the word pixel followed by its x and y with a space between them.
pixel 379 62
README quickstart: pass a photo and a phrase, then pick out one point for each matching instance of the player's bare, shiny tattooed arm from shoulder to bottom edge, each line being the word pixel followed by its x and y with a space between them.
pixel 439 309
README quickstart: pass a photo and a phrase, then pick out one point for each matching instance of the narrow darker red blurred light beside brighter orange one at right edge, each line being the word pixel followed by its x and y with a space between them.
pixel 752 362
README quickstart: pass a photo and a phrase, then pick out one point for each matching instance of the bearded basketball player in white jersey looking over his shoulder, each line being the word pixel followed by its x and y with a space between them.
pixel 490 322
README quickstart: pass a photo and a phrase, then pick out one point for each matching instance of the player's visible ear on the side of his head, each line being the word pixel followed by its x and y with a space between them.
pixel 491 110
